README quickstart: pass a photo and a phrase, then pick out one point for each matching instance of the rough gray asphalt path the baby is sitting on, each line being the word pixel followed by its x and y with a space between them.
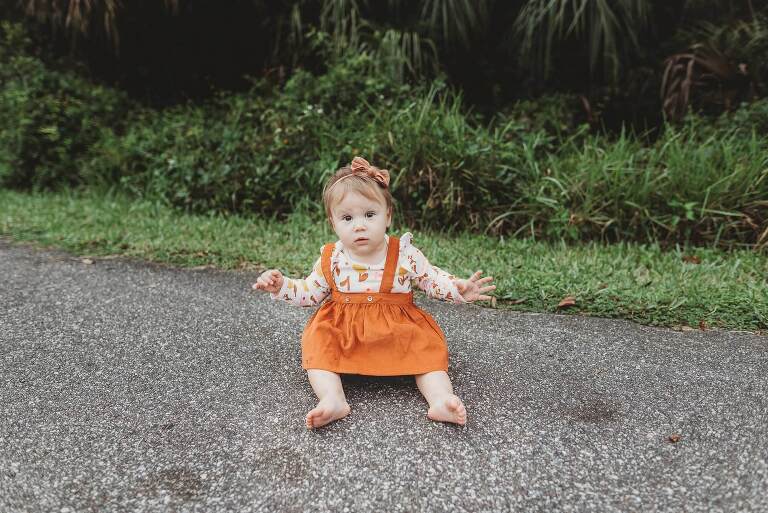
pixel 127 386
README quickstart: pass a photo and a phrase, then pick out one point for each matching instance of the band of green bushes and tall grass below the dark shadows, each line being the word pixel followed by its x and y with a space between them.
pixel 531 171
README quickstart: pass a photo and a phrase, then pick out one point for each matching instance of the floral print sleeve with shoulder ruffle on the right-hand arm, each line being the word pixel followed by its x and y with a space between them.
pixel 434 281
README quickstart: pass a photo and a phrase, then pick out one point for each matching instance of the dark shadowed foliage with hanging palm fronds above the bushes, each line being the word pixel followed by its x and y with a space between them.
pixel 497 51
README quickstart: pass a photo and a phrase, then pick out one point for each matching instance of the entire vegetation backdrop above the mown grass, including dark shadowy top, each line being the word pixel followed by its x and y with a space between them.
pixel 556 119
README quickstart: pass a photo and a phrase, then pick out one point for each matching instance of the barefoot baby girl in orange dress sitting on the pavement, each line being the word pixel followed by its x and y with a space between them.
pixel 370 325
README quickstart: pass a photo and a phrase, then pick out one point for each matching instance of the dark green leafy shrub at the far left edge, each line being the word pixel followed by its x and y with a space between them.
pixel 48 119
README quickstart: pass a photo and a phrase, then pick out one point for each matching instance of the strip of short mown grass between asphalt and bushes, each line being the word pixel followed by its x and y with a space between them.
pixel 638 282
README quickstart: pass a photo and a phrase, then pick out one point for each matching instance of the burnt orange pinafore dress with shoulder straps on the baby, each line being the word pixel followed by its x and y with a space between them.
pixel 372 333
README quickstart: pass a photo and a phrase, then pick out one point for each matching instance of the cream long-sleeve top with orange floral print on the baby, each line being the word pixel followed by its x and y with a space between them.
pixel 412 268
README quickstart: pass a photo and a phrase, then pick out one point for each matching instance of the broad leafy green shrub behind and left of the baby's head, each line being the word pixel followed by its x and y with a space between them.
pixel 263 151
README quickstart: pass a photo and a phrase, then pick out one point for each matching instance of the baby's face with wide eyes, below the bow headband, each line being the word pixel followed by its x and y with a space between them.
pixel 361 224
